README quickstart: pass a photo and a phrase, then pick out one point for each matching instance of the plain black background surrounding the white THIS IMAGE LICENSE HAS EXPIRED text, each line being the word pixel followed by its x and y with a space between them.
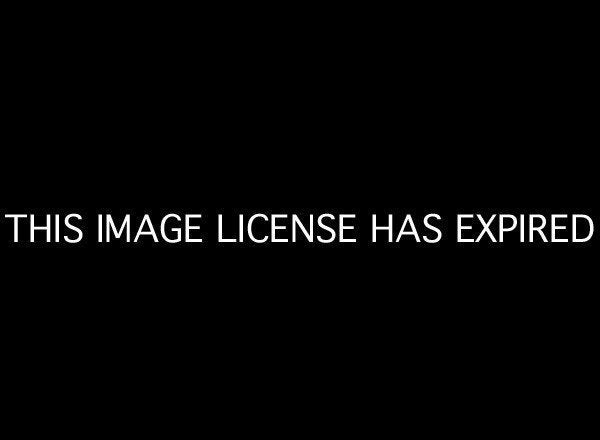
pixel 368 113
